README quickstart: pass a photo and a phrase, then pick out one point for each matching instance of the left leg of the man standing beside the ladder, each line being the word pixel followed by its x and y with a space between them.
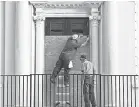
pixel 86 94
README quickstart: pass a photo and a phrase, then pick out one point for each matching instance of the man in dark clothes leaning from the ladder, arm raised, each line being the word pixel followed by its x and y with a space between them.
pixel 66 57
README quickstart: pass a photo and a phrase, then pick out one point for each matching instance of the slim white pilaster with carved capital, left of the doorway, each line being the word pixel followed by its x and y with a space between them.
pixel 39 21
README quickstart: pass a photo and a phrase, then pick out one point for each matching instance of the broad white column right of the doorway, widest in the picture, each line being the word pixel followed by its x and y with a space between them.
pixel 118 48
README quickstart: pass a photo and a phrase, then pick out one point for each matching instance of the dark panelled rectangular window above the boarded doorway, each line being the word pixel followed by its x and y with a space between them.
pixel 66 26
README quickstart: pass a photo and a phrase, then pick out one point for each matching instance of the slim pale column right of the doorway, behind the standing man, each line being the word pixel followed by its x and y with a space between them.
pixel 94 29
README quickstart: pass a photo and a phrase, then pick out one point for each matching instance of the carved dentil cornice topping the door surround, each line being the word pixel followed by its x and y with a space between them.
pixel 68 4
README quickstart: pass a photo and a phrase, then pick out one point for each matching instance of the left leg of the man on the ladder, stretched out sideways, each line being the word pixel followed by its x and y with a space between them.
pixel 56 70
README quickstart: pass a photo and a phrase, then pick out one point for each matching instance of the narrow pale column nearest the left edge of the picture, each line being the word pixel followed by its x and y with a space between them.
pixel 10 8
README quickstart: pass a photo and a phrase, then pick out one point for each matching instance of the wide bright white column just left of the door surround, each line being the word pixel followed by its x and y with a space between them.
pixel 23 38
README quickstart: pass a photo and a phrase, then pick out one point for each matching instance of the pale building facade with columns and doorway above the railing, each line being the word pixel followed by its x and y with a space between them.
pixel 25 48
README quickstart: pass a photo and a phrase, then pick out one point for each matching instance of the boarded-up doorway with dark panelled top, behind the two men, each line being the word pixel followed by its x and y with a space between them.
pixel 57 31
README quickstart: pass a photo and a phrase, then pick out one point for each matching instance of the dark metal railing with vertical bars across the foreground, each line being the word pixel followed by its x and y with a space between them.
pixel 36 90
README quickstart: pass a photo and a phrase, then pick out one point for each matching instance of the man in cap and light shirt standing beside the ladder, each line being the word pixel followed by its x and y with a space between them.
pixel 88 71
